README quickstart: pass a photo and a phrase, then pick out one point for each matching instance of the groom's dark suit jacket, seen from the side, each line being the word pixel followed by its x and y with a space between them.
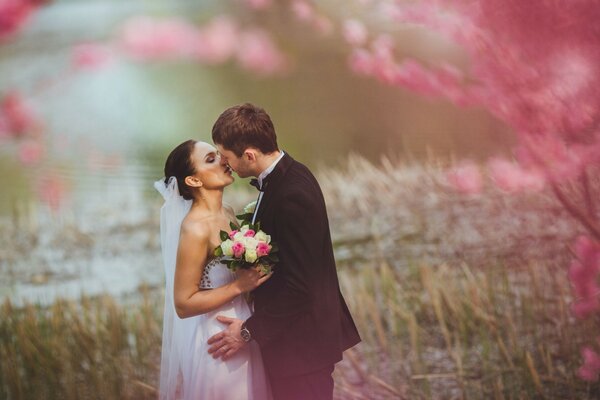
pixel 300 320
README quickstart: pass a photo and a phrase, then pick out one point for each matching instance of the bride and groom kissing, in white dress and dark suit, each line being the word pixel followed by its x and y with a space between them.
pixel 217 345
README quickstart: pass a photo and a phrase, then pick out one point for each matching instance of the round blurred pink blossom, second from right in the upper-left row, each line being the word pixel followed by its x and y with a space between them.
pixel 217 41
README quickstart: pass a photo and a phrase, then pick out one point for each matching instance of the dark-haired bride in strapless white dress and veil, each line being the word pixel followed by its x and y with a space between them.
pixel 199 286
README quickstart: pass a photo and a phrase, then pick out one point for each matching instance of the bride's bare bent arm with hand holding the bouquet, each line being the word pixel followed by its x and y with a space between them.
pixel 191 257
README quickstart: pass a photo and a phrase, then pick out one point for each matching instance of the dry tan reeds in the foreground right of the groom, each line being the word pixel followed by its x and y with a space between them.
pixel 460 333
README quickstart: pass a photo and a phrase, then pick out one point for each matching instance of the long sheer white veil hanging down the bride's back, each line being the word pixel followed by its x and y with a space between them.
pixel 176 331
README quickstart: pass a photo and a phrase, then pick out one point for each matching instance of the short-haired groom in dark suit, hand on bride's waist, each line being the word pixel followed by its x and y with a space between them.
pixel 300 321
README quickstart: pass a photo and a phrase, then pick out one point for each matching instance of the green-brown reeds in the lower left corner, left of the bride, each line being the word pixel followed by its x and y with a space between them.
pixel 90 349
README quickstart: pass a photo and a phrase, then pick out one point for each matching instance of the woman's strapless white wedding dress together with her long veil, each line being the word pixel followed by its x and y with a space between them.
pixel 187 371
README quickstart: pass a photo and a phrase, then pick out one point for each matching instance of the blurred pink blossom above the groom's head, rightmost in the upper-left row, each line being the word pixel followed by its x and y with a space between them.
pixel 258 53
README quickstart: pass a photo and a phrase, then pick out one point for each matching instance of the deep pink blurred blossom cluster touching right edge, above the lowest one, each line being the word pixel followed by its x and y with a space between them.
pixel 583 274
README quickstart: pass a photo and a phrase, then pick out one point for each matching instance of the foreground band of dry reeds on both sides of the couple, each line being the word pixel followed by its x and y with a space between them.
pixel 430 333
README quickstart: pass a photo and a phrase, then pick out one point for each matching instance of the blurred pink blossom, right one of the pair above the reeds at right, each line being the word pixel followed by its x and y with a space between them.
pixel 511 177
